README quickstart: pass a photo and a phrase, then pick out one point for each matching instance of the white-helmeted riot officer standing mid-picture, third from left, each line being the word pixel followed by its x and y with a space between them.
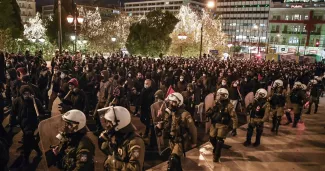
pixel 180 128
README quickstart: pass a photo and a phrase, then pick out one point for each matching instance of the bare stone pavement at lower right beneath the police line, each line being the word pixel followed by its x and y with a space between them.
pixel 297 149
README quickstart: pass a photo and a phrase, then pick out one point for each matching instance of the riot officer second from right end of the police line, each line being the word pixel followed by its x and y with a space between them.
pixel 297 98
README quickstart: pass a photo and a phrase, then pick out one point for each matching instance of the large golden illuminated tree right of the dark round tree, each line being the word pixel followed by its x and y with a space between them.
pixel 190 25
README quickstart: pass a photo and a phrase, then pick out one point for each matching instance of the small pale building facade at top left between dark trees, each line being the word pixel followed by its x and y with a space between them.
pixel 27 9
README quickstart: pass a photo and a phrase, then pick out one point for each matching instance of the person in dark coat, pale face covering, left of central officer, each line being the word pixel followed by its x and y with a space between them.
pixel 147 98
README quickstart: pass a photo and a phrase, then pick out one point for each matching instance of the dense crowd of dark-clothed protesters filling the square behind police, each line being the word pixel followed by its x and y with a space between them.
pixel 91 82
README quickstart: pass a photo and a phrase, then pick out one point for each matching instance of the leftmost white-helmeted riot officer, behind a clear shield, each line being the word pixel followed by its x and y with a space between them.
pixel 76 151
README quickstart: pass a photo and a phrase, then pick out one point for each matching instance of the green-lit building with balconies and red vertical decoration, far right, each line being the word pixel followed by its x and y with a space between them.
pixel 297 26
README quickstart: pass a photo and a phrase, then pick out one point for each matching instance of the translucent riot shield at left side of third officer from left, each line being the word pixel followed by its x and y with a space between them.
pixel 162 141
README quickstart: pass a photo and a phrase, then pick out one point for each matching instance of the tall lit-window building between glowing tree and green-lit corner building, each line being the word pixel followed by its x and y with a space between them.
pixel 245 22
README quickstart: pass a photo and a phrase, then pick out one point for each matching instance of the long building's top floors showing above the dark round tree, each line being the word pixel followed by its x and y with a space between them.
pixel 173 6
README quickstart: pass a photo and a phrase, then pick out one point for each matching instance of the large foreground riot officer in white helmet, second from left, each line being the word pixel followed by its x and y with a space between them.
pixel 125 148
